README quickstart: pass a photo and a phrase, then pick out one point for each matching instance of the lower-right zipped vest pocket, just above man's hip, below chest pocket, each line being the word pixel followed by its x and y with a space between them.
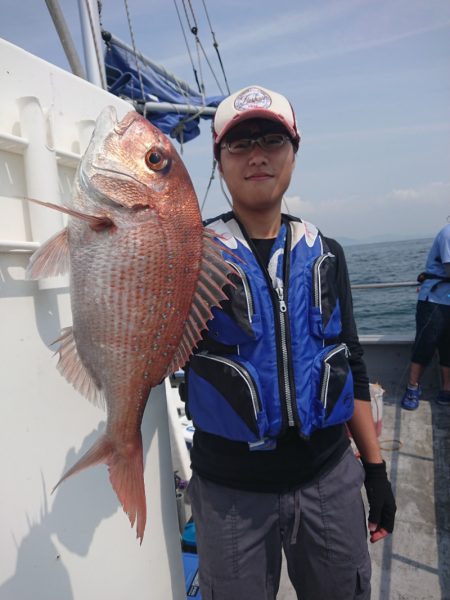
pixel 333 402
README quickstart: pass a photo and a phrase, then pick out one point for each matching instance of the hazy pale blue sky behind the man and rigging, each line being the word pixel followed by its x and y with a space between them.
pixel 369 81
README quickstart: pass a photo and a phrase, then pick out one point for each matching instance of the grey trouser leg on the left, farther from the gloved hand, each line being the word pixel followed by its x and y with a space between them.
pixel 238 541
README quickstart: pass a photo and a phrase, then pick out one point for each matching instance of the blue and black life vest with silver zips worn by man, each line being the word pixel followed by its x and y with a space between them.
pixel 269 361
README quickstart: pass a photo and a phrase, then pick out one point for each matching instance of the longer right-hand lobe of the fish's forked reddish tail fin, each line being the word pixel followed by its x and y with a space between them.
pixel 126 473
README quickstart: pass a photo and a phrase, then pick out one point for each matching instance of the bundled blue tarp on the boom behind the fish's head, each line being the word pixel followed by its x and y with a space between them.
pixel 123 80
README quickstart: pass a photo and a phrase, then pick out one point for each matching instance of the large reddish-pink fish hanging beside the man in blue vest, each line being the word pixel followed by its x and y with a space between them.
pixel 144 276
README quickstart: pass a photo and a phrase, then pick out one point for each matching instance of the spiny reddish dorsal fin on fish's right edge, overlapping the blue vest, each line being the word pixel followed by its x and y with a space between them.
pixel 213 277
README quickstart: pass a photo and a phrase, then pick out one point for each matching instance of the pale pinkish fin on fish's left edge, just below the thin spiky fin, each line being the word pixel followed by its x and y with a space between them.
pixel 51 259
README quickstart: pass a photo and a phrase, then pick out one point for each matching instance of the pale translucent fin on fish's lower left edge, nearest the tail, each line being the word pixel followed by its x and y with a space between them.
pixel 71 367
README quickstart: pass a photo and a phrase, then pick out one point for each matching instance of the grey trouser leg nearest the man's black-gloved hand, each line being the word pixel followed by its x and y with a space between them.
pixel 327 556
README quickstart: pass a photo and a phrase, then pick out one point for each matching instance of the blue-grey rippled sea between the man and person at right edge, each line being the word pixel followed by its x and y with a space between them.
pixel 386 310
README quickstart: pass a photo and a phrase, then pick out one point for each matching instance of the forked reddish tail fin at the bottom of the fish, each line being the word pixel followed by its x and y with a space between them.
pixel 126 472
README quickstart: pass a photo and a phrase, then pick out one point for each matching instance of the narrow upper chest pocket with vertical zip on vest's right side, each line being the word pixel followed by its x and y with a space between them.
pixel 324 309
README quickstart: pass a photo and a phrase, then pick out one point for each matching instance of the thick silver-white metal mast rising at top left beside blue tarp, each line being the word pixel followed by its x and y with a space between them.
pixel 92 42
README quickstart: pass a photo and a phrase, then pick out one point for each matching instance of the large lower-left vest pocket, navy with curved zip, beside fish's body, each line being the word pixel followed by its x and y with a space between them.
pixel 224 397
